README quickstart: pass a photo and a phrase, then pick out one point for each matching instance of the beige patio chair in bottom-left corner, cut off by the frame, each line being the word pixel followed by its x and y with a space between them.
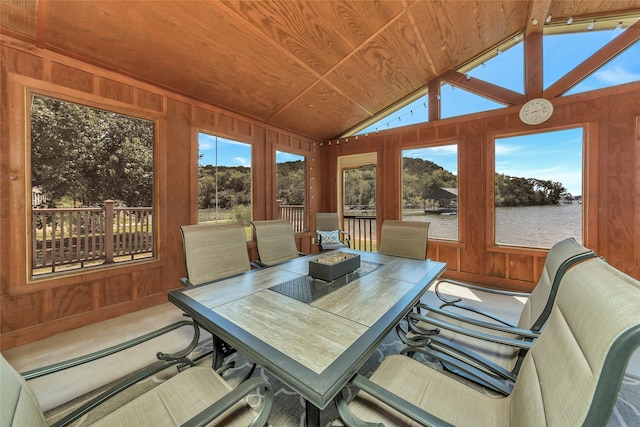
pixel 195 396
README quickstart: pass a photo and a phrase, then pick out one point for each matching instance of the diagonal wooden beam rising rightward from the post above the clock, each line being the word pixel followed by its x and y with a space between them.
pixel 595 61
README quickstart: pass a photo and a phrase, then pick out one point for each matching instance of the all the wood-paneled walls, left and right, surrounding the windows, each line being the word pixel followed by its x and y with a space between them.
pixel 30 311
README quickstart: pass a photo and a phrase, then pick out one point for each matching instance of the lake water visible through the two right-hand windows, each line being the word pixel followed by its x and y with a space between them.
pixel 533 226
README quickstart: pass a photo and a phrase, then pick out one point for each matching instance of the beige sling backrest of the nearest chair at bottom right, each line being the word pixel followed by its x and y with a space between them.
pixel 595 305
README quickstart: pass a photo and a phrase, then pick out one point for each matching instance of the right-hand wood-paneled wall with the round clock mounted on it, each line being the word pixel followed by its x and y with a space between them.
pixel 611 182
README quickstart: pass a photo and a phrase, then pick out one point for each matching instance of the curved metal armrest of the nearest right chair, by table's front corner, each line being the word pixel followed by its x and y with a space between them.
pixel 417 414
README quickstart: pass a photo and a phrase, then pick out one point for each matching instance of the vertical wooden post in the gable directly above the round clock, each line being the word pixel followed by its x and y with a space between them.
pixel 533 83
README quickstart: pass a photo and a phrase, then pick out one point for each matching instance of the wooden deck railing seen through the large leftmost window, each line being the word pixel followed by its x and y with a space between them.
pixel 79 237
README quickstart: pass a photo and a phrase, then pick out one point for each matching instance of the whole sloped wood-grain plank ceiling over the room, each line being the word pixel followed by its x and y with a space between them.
pixel 314 67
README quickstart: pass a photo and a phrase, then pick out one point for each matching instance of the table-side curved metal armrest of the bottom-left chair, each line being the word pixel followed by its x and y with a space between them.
pixel 218 408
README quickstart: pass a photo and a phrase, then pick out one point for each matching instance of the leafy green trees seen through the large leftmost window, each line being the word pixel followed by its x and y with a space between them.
pixel 90 155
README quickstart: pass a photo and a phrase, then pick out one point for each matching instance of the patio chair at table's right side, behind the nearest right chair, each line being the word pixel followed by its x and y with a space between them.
pixel 480 342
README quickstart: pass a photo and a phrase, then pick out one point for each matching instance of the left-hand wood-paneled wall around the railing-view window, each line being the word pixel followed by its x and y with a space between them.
pixel 34 309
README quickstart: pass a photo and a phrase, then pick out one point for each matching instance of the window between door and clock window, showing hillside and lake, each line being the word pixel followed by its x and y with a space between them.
pixel 430 189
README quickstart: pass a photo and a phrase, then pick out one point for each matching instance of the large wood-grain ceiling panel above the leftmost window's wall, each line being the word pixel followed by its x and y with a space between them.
pixel 196 48
